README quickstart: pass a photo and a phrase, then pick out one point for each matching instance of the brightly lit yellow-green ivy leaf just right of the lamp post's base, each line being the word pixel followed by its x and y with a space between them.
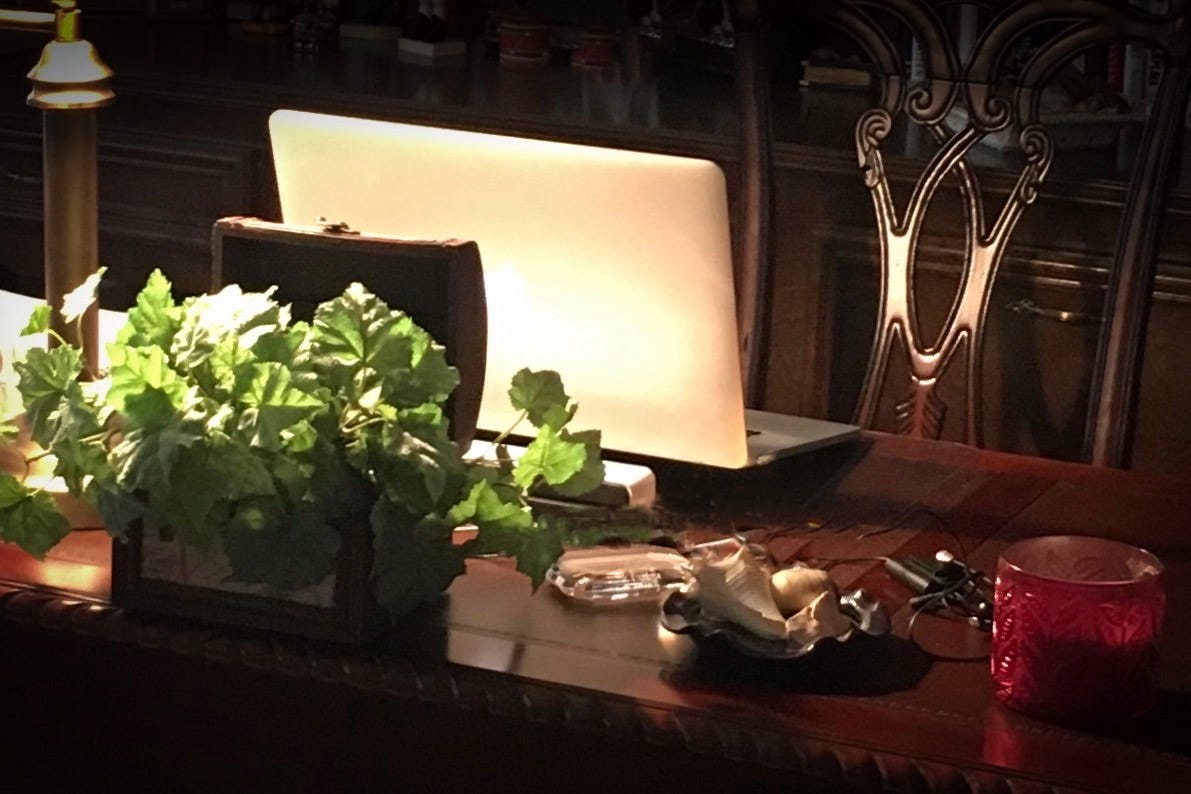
pixel 145 389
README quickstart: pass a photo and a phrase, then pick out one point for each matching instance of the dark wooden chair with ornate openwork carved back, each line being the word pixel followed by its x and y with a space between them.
pixel 994 99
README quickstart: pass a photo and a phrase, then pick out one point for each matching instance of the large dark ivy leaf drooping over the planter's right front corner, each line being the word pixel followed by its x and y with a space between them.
pixel 414 560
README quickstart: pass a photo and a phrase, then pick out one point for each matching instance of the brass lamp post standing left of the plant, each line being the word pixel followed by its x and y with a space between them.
pixel 68 84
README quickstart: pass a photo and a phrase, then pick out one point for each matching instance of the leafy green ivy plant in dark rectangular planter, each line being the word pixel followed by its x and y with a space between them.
pixel 245 454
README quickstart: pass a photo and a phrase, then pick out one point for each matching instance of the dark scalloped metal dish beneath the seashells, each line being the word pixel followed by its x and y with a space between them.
pixel 683 614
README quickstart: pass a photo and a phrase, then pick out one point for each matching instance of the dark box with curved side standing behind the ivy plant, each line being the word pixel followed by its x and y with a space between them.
pixel 440 285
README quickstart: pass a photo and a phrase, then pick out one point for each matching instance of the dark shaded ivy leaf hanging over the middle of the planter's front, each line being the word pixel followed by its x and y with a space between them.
pixel 285 555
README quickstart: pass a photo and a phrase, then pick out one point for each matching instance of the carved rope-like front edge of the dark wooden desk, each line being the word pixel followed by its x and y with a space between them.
pixel 464 689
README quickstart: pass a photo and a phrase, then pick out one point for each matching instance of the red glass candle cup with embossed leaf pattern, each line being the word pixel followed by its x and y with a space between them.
pixel 1076 627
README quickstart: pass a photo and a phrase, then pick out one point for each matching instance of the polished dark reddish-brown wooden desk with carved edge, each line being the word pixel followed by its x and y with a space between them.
pixel 501 685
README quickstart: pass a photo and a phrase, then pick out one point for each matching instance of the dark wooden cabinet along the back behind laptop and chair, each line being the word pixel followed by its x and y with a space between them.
pixel 186 143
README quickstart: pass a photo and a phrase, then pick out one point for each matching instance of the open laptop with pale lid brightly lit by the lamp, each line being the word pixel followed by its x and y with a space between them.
pixel 612 267
